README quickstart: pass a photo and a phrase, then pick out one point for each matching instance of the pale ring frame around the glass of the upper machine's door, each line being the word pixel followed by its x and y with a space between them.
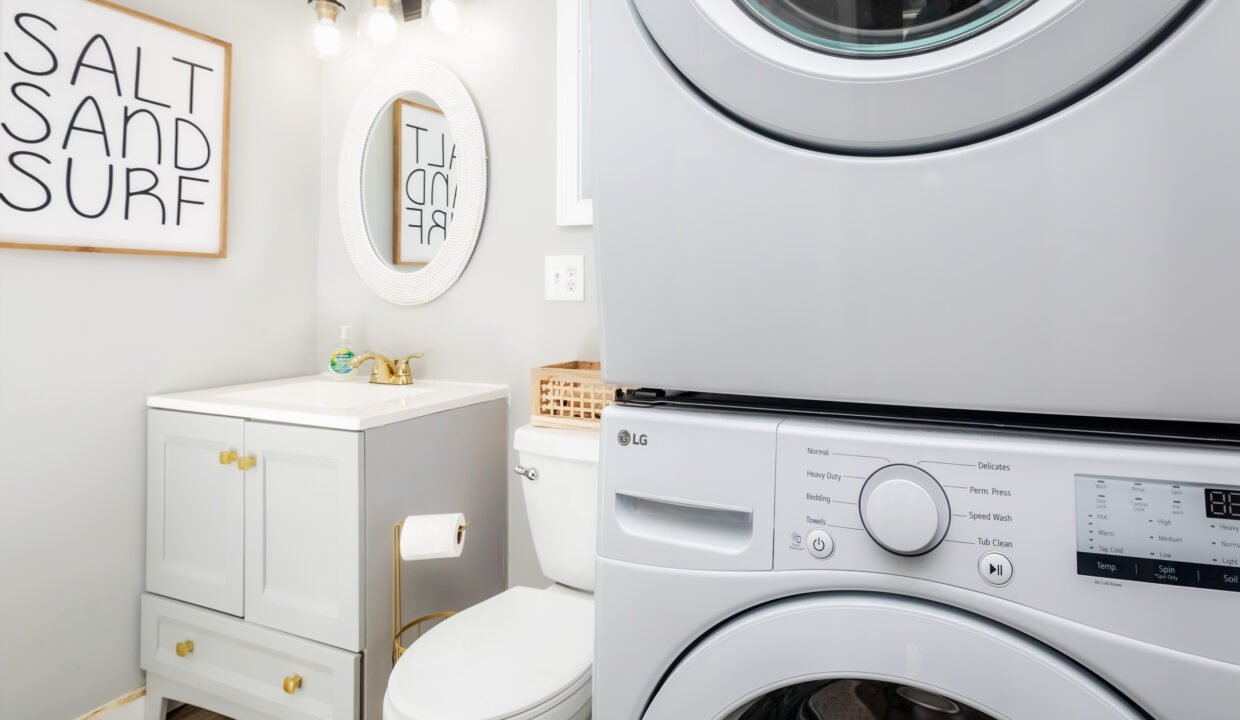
pixel 1045 56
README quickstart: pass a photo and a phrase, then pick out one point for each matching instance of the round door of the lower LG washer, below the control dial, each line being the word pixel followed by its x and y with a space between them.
pixel 876 657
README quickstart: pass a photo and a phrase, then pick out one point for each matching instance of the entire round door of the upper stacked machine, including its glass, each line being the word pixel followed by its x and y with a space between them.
pixel 887 77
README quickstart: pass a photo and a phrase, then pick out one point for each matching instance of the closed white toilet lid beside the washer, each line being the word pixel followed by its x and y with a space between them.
pixel 499 659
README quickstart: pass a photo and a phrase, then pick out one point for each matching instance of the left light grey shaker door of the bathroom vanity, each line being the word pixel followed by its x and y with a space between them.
pixel 195 510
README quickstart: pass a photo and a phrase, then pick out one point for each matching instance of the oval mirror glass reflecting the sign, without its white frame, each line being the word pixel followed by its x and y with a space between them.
pixel 410 182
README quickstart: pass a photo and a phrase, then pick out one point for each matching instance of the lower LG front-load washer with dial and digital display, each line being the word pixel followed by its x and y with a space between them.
pixel 759 567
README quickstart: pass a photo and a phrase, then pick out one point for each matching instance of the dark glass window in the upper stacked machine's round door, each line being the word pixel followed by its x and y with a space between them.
pixel 881 28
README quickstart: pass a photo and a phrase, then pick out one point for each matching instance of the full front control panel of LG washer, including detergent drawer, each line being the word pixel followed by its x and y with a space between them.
pixel 1128 537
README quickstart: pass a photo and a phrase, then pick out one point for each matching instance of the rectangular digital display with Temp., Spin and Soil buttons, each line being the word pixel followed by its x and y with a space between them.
pixel 1164 532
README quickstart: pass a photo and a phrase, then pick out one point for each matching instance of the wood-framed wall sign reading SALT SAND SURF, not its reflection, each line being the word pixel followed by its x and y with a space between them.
pixel 143 113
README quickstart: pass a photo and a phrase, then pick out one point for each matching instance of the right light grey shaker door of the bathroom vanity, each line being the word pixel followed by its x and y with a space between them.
pixel 303 532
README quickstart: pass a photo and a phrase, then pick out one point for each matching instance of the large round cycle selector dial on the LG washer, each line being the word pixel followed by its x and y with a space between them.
pixel 905 510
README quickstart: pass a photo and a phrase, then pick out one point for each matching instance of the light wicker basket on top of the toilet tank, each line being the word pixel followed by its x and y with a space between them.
pixel 570 396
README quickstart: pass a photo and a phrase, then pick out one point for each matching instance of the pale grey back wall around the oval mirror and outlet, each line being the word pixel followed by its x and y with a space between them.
pixel 493 325
